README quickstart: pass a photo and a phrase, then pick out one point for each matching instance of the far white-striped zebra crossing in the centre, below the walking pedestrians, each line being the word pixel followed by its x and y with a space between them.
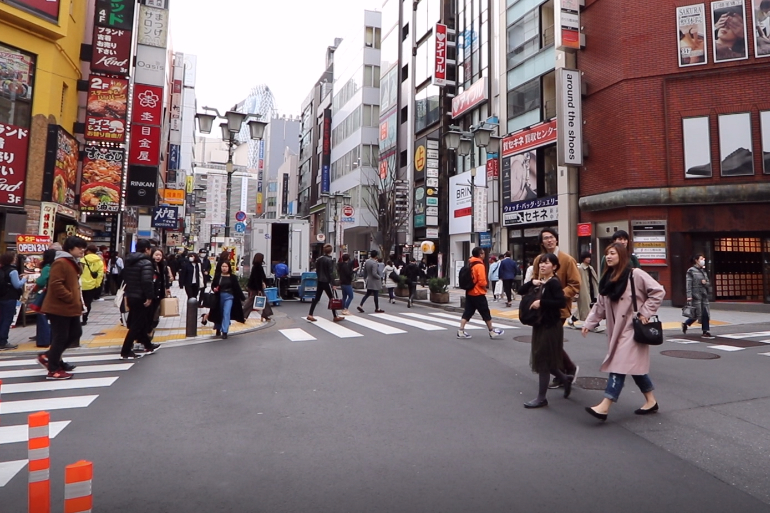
pixel 356 326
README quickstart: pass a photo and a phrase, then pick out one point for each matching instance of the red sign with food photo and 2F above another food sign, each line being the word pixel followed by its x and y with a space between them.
pixel 106 109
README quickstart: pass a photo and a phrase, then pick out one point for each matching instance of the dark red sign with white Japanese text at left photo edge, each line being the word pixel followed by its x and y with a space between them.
pixel 14 145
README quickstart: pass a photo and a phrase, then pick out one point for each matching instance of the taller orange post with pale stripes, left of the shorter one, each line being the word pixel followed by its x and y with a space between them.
pixel 39 463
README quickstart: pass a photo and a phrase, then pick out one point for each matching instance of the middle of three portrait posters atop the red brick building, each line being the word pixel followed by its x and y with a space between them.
pixel 728 19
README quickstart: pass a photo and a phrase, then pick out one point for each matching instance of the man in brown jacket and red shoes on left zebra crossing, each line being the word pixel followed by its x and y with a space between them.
pixel 63 305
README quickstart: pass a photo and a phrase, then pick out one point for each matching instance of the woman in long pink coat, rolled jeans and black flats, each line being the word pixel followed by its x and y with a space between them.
pixel 625 356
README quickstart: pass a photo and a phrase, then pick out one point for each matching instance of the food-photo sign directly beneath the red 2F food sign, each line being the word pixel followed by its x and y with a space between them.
pixel 102 176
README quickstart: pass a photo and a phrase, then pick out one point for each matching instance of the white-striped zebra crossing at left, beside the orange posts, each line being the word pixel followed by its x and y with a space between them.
pixel 23 377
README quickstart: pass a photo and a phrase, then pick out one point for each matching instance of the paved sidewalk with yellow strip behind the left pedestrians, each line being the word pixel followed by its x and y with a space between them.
pixel 105 331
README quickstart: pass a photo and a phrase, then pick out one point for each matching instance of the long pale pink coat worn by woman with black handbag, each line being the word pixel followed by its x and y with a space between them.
pixel 625 356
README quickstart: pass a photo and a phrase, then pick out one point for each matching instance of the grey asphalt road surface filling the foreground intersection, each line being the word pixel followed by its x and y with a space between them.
pixel 410 422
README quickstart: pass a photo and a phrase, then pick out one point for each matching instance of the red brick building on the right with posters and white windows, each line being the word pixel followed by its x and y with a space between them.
pixel 678 139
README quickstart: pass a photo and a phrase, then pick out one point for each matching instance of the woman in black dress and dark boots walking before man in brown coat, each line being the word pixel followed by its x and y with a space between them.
pixel 548 334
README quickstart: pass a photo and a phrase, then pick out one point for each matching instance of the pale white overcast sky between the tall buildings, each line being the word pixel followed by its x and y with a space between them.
pixel 243 43
